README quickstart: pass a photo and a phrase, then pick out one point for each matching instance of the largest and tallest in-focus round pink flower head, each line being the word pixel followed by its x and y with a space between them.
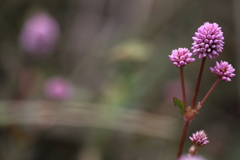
pixel 208 41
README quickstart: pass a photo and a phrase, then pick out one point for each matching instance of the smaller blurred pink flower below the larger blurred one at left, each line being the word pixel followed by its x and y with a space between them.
pixel 58 88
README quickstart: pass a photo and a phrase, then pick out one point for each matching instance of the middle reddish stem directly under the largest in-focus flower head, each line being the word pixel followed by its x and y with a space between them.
pixel 198 83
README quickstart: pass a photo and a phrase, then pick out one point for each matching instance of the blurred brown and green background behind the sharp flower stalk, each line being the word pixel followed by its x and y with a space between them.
pixel 91 79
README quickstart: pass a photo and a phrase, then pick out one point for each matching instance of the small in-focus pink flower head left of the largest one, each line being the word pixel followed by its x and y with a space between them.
pixel 181 57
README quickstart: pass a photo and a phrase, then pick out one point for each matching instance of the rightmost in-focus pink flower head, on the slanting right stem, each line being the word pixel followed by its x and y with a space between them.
pixel 223 70
